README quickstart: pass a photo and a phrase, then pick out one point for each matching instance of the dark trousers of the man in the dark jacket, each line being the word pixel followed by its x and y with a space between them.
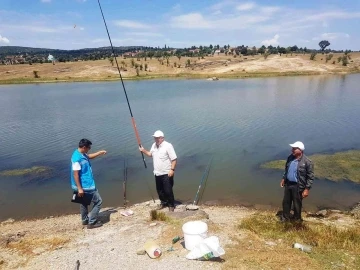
pixel 292 195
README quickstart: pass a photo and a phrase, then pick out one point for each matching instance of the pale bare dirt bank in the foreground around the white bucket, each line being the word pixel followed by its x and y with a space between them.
pixel 58 242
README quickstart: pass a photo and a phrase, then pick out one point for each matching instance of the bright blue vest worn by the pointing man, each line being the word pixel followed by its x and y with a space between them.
pixel 85 172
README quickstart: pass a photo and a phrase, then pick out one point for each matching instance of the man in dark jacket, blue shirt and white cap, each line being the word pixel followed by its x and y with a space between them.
pixel 297 180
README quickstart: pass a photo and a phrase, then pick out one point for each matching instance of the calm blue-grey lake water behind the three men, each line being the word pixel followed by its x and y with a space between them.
pixel 240 123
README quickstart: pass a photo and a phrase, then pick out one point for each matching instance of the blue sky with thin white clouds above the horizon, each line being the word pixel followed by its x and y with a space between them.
pixel 75 24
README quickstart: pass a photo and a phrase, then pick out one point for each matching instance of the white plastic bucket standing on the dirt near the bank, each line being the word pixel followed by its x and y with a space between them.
pixel 194 233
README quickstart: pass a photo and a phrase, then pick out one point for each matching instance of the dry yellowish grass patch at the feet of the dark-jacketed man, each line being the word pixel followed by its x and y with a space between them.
pixel 333 247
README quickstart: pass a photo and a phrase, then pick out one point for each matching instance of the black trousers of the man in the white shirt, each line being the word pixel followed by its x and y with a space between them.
pixel 164 185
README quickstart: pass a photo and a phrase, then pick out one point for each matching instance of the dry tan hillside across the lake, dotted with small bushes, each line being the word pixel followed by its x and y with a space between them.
pixel 217 65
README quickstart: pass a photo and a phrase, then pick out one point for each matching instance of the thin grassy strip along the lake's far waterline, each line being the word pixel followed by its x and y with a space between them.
pixel 183 76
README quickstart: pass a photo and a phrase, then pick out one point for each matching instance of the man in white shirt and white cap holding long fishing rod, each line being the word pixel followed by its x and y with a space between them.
pixel 164 159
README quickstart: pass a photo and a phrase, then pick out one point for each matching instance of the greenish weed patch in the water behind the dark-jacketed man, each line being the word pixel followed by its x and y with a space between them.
pixel 335 167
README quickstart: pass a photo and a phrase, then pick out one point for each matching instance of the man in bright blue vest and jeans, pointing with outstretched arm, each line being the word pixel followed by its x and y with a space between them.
pixel 82 181
